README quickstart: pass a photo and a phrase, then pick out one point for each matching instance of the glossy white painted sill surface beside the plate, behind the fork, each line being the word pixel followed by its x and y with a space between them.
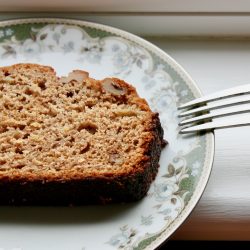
pixel 223 213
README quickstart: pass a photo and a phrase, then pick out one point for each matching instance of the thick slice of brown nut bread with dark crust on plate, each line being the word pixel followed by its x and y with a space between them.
pixel 74 140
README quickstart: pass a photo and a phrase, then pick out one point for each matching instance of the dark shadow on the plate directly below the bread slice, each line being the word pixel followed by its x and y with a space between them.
pixel 65 215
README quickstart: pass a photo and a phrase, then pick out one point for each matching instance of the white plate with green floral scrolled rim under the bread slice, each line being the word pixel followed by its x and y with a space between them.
pixel 185 163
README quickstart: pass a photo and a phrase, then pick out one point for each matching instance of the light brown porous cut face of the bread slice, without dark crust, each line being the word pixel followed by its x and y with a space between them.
pixel 72 127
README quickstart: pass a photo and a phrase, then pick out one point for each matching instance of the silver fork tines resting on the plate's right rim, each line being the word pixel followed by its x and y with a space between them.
pixel 225 103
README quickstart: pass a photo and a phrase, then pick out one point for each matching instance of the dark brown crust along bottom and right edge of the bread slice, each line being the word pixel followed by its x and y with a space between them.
pixel 102 189
